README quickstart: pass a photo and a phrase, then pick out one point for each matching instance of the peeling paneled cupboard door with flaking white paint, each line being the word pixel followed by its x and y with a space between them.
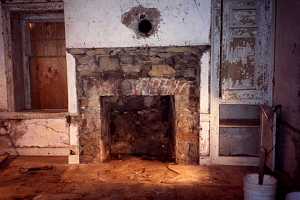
pixel 241 78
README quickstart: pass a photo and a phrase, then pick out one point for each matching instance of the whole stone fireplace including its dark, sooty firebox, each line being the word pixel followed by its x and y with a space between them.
pixel 140 101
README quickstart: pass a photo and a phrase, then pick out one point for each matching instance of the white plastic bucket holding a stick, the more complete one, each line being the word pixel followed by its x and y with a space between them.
pixel 254 191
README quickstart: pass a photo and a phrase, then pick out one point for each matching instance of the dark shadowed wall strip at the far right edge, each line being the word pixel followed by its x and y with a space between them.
pixel 287 85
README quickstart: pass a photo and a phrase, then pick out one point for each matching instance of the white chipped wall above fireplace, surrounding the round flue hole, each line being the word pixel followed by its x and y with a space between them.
pixel 98 23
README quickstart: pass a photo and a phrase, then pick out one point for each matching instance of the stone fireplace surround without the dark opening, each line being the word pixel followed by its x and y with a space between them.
pixel 165 71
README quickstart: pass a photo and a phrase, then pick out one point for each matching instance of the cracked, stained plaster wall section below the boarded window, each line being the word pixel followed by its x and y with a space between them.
pixel 33 133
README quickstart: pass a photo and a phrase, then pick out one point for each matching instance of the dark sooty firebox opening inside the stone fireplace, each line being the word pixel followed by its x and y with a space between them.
pixel 140 126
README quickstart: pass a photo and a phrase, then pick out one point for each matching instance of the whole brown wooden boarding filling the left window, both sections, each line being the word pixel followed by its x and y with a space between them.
pixel 48 68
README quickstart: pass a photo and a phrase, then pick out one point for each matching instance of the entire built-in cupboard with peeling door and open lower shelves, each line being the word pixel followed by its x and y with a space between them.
pixel 242 60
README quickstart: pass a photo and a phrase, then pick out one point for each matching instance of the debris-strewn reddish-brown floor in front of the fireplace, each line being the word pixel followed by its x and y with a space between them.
pixel 130 179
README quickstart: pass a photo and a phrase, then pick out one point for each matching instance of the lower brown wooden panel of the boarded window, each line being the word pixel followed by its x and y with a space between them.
pixel 48 78
